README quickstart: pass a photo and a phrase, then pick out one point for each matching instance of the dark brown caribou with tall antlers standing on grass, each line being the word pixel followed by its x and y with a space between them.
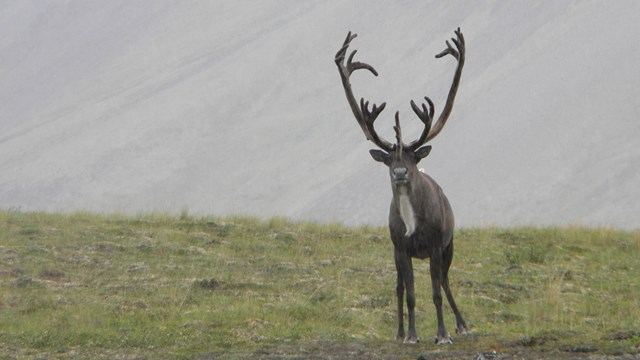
pixel 420 217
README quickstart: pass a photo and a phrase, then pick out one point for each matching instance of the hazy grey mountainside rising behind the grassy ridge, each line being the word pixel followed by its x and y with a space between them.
pixel 237 107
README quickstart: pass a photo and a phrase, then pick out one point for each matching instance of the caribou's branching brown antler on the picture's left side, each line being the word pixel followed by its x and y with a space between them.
pixel 362 114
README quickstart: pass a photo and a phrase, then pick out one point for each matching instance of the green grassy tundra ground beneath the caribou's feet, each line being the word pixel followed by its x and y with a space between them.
pixel 93 286
